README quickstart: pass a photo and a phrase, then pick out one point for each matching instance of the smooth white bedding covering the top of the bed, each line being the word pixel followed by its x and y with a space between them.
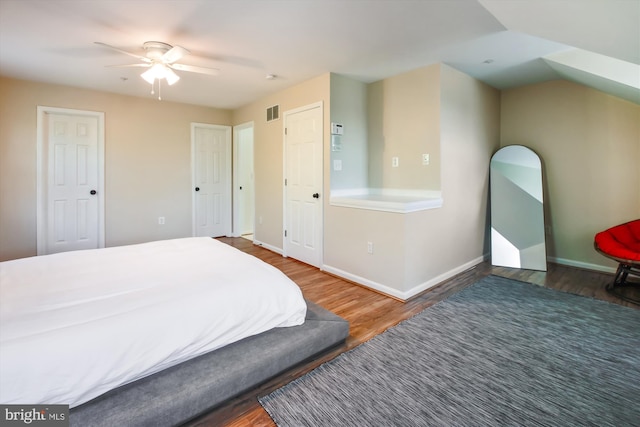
pixel 75 325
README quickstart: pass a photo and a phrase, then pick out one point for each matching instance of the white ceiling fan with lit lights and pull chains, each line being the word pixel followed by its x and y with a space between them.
pixel 161 59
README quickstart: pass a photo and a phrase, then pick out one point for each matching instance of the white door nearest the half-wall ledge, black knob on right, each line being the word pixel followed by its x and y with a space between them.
pixel 303 184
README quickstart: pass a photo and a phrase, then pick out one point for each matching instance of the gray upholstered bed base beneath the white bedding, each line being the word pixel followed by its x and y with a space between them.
pixel 183 392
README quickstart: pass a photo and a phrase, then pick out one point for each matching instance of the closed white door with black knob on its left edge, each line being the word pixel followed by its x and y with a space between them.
pixel 211 168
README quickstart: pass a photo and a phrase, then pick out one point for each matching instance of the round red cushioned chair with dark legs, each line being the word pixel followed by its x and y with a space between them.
pixel 622 244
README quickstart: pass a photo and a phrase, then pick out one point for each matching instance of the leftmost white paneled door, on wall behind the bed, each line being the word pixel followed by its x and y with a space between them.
pixel 70 183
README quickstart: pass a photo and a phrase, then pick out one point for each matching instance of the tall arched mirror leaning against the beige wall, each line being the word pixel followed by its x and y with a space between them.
pixel 517 214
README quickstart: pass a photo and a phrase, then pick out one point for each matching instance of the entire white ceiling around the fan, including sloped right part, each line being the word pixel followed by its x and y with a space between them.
pixel 503 43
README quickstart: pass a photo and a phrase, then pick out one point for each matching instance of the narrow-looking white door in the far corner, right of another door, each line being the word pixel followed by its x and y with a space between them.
pixel 244 187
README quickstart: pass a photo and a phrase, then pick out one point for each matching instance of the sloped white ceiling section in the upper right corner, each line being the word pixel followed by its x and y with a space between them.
pixel 605 53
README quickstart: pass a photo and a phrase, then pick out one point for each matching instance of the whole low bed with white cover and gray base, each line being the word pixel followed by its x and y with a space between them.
pixel 102 328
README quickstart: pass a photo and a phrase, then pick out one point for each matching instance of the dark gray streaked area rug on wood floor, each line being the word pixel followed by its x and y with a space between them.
pixel 498 353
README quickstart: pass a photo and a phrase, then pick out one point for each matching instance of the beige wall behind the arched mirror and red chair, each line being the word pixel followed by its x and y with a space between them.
pixel 589 143
